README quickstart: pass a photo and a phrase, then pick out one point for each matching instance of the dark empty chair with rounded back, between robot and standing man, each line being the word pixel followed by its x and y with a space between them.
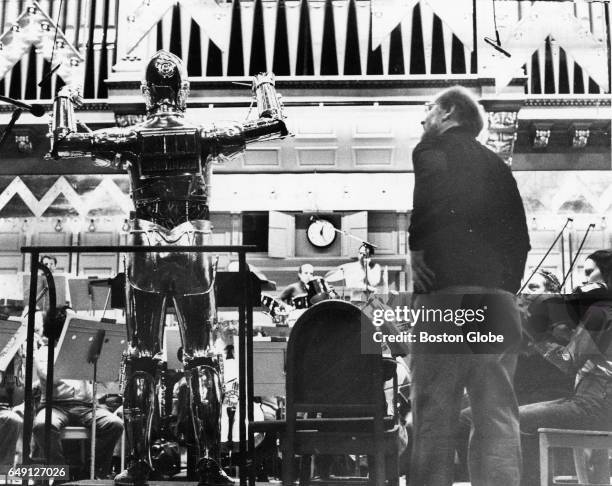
pixel 341 389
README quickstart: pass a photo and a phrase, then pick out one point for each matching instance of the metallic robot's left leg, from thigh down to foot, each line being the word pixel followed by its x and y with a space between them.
pixel 145 311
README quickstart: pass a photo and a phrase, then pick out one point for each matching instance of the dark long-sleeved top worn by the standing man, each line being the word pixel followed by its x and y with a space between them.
pixel 468 215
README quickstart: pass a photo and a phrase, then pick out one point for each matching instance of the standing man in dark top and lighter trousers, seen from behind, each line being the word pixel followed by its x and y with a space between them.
pixel 469 243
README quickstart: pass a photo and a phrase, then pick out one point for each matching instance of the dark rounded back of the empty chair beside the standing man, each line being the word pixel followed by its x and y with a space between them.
pixel 327 371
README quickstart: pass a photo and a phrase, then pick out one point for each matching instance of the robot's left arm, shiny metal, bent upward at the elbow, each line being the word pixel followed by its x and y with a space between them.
pixel 68 142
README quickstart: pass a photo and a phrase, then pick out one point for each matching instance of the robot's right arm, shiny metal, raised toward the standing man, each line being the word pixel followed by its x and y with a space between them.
pixel 227 142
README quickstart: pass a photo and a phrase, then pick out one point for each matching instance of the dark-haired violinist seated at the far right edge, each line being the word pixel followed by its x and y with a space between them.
pixel 588 358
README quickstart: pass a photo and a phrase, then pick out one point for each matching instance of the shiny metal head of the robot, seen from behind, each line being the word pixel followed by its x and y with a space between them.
pixel 165 83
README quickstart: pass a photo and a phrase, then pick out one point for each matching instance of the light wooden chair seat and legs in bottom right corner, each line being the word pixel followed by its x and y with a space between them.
pixel 578 440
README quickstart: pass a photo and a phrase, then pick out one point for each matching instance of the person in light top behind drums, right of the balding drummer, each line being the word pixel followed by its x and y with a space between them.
pixel 361 277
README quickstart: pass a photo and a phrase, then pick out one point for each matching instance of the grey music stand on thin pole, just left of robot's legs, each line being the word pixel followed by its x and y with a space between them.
pixel 90 350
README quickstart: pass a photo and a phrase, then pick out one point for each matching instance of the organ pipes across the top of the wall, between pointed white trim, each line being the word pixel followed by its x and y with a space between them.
pixel 330 38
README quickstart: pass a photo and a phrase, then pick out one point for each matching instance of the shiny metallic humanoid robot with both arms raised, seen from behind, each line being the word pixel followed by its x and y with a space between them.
pixel 169 161
